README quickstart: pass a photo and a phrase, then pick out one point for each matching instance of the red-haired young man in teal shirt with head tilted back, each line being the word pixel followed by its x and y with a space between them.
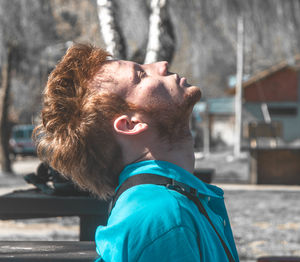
pixel 107 121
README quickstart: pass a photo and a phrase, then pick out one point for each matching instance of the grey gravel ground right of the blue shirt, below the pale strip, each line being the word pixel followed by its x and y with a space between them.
pixel 265 222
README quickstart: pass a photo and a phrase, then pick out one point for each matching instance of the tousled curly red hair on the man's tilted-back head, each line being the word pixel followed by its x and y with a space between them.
pixel 75 135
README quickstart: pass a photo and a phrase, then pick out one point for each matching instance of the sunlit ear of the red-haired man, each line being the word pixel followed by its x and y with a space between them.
pixel 129 125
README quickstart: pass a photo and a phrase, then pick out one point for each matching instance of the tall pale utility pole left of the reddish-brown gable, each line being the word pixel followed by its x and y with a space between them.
pixel 238 89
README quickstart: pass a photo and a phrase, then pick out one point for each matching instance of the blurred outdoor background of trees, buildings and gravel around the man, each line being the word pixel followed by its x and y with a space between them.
pixel 244 55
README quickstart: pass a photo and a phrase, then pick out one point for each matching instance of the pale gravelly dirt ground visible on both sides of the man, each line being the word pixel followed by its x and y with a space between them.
pixel 265 220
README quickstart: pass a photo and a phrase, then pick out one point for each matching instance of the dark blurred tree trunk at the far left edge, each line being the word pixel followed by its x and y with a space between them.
pixel 4 105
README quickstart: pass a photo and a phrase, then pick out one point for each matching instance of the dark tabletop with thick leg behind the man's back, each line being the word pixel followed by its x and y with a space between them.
pixel 34 204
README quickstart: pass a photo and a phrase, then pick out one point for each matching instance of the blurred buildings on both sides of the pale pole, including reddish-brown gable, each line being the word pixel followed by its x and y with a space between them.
pixel 271 108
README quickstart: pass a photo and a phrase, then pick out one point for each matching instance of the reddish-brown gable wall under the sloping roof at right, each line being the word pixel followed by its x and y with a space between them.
pixel 279 86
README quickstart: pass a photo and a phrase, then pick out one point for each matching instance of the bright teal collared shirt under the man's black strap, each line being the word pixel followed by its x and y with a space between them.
pixel 154 223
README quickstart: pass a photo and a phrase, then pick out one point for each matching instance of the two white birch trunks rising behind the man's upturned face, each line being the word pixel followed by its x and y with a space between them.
pixel 160 42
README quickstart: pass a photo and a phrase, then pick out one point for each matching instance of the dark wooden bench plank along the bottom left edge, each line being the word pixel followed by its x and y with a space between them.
pixel 51 251
